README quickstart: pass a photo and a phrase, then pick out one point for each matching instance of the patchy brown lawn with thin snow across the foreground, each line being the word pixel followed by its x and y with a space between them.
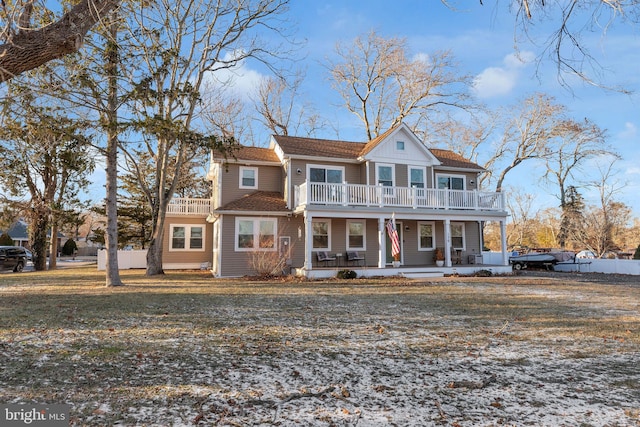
pixel 540 349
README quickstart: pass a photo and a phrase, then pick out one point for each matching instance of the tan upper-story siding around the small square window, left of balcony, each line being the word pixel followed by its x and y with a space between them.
pixel 269 179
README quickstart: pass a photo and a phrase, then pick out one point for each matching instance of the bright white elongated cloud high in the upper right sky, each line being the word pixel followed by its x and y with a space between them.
pixel 499 81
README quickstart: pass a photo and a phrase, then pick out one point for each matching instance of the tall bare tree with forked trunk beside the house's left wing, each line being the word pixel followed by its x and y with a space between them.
pixel 180 43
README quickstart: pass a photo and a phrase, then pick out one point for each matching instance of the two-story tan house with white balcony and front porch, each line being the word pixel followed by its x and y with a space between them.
pixel 304 198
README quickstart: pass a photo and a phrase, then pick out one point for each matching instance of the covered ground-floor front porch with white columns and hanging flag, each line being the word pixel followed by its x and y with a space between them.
pixel 331 238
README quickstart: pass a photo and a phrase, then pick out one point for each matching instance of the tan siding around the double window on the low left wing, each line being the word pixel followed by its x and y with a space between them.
pixel 187 256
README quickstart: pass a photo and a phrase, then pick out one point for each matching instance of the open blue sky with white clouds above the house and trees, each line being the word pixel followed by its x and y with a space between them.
pixel 482 40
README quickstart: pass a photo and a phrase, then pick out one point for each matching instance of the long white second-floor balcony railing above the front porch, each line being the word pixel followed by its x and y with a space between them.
pixel 344 194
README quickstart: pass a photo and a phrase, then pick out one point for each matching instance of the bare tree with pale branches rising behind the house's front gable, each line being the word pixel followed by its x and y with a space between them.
pixel 383 86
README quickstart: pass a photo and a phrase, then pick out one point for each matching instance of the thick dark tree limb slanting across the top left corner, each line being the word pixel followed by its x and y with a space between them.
pixel 30 48
